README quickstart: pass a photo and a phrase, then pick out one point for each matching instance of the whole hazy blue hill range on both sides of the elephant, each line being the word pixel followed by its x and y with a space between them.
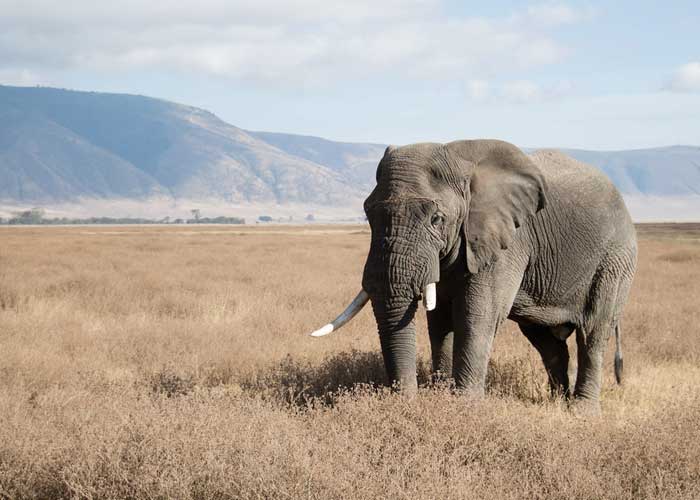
pixel 61 146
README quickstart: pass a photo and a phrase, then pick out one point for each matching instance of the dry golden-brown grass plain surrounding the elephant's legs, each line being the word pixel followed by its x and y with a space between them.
pixel 173 363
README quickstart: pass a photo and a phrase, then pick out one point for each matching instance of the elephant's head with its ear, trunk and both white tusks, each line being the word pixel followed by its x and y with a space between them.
pixel 437 206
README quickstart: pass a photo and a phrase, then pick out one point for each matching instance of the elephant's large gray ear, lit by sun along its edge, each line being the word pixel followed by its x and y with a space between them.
pixel 505 189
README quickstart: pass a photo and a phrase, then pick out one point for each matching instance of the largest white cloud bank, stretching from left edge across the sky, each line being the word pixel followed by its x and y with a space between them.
pixel 275 41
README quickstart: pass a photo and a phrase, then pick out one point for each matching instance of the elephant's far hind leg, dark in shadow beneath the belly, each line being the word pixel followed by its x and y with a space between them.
pixel 550 342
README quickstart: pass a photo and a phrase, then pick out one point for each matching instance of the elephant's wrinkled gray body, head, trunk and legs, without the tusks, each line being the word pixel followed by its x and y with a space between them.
pixel 543 240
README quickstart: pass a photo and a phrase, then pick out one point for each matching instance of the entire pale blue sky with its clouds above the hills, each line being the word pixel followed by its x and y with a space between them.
pixel 613 75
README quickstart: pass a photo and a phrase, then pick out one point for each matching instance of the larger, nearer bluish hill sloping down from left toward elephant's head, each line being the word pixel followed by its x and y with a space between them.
pixel 58 145
